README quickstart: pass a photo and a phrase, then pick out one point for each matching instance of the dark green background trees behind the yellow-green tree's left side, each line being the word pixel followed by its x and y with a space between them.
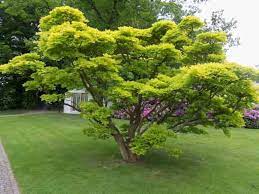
pixel 19 21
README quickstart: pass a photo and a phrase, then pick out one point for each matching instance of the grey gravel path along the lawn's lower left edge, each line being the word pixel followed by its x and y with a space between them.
pixel 8 183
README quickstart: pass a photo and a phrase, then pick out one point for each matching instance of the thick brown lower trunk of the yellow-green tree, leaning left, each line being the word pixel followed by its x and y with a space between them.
pixel 126 153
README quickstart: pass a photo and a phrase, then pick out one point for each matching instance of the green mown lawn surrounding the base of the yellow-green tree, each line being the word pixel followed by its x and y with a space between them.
pixel 50 155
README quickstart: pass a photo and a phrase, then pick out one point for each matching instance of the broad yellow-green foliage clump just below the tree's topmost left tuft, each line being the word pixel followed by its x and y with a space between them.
pixel 74 39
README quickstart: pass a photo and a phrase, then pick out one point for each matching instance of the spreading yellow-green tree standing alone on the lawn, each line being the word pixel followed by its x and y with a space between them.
pixel 168 78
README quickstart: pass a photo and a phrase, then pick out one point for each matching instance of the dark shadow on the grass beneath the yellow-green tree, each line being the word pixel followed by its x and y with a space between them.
pixel 97 154
